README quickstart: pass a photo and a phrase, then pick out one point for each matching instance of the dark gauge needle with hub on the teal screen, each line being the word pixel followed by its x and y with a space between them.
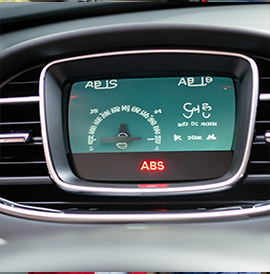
pixel 122 139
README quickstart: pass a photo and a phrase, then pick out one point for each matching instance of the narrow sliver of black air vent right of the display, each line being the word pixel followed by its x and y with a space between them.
pixel 259 167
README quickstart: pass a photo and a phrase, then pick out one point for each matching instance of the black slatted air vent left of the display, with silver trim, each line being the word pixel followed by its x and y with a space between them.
pixel 22 159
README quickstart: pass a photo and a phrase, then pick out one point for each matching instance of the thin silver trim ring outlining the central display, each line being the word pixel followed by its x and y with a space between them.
pixel 172 190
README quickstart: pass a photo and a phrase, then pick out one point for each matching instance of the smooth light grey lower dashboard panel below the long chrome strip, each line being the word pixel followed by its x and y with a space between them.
pixel 95 245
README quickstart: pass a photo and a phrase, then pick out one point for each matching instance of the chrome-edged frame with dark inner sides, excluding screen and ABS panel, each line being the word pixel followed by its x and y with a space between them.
pixel 56 74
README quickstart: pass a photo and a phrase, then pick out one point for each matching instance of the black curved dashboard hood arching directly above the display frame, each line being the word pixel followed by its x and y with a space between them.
pixel 47 48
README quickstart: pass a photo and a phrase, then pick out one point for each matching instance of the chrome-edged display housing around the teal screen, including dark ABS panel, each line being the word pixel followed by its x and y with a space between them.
pixel 199 166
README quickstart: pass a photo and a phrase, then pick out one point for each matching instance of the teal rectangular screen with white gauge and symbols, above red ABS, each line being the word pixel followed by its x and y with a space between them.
pixel 165 114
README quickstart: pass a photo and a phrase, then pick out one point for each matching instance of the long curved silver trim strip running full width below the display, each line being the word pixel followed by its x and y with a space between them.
pixel 129 217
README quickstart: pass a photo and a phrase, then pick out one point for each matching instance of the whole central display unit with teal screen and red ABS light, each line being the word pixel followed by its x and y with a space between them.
pixel 149 118
